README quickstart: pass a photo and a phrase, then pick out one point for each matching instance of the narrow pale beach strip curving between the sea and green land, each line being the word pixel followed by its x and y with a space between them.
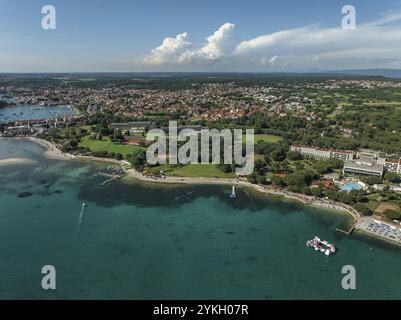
pixel 53 152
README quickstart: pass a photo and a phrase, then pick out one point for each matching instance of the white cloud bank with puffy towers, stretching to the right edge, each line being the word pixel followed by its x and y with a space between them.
pixel 374 44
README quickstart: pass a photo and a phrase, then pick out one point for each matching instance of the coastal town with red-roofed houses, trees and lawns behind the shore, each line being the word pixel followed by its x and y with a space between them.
pixel 331 138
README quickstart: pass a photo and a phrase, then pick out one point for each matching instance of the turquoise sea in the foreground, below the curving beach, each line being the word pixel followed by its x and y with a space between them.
pixel 142 241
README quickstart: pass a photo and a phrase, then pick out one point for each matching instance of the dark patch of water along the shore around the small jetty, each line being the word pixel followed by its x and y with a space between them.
pixel 173 196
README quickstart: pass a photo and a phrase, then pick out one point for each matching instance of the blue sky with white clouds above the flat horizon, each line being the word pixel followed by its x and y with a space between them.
pixel 199 36
